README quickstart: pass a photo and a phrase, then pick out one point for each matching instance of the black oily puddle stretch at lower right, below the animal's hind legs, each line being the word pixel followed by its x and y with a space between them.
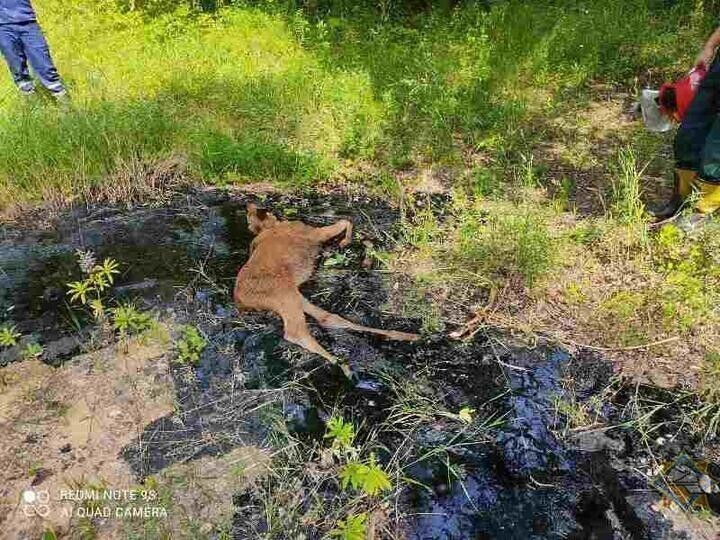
pixel 521 483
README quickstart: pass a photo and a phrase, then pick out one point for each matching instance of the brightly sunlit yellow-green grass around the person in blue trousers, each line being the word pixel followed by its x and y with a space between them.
pixel 236 93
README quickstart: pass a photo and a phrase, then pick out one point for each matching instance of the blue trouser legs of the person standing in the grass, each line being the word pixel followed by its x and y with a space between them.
pixel 23 42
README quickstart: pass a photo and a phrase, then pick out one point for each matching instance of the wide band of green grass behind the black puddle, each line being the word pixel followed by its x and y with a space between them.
pixel 274 93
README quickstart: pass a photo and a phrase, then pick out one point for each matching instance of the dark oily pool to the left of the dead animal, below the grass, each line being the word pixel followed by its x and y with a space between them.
pixel 160 251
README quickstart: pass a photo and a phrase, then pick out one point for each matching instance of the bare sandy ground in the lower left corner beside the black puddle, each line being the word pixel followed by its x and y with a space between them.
pixel 62 433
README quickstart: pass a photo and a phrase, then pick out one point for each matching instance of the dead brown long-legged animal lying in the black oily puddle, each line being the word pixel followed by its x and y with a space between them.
pixel 282 258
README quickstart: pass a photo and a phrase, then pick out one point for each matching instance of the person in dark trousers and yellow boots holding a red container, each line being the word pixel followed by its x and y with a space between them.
pixel 694 101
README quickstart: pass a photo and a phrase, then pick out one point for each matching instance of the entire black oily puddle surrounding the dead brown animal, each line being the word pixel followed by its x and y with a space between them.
pixel 519 480
